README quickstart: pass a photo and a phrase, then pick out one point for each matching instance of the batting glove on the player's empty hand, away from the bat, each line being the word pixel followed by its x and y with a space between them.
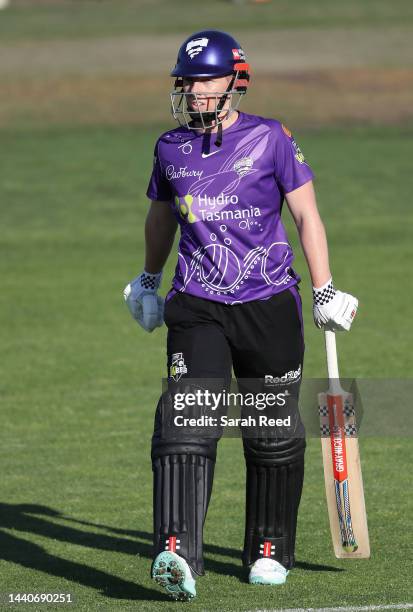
pixel 145 305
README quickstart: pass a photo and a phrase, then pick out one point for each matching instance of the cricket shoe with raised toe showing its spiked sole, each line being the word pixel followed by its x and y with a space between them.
pixel 173 573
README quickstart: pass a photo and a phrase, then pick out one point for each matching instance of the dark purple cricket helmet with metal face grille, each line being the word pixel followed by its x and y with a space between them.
pixel 212 54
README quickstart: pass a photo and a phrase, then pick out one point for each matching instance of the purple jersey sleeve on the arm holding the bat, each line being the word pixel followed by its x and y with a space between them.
pixel 291 168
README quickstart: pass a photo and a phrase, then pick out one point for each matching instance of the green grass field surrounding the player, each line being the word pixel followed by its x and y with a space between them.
pixel 79 381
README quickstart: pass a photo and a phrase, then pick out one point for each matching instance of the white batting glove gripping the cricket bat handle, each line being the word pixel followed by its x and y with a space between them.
pixel 333 309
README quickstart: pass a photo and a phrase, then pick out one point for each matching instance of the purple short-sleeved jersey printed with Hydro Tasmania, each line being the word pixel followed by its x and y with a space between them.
pixel 233 246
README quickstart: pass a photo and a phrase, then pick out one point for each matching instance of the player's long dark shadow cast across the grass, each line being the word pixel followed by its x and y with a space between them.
pixel 36 519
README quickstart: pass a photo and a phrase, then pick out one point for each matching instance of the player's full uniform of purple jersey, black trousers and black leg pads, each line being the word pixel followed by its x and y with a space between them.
pixel 234 305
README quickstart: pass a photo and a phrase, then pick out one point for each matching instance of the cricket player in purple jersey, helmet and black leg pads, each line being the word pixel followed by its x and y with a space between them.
pixel 222 177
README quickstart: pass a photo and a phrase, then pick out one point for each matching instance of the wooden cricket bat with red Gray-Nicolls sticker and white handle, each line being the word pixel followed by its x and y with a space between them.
pixel 342 469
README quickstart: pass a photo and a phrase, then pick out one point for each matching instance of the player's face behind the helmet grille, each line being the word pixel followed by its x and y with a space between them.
pixel 204 92
